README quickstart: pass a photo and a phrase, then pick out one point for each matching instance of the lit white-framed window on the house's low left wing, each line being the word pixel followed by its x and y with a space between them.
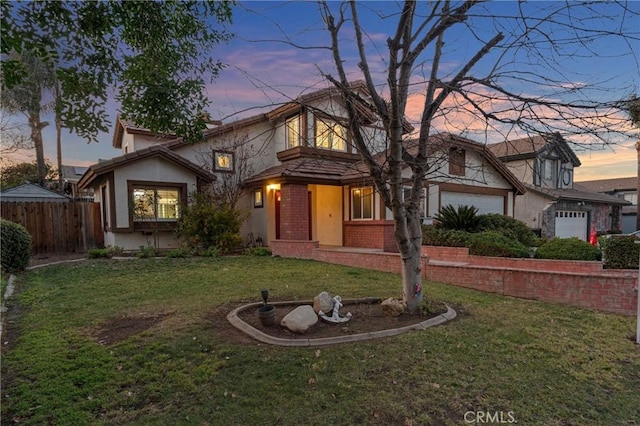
pixel 155 204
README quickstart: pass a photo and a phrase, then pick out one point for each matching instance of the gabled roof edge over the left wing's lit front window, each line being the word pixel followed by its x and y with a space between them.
pixel 97 170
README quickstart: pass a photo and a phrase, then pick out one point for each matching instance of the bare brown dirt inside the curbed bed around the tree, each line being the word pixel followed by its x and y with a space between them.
pixel 366 318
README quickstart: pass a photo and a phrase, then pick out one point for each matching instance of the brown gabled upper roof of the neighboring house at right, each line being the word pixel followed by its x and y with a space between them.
pixel 531 147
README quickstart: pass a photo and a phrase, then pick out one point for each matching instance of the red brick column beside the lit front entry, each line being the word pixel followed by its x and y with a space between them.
pixel 294 212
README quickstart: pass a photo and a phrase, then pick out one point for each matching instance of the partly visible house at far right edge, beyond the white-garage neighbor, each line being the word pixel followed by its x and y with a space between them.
pixel 625 188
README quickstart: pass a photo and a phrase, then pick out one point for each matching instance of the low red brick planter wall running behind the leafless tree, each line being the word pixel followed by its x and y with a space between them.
pixel 583 284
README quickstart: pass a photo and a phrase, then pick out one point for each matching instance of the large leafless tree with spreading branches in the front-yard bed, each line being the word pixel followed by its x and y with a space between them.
pixel 506 66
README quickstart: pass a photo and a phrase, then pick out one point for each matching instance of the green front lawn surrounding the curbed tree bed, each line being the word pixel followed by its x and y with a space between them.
pixel 532 362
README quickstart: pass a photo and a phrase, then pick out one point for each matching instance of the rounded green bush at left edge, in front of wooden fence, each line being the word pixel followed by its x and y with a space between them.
pixel 15 245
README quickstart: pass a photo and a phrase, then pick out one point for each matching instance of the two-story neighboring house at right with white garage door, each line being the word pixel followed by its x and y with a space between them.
pixel 553 206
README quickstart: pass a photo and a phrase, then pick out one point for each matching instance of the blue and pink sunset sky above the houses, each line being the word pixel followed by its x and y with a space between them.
pixel 262 70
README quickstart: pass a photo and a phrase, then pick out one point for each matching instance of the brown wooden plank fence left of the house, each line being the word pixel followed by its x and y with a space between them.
pixel 73 227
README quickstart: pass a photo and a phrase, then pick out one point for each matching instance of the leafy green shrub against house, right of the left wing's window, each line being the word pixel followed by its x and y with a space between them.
pixel 204 224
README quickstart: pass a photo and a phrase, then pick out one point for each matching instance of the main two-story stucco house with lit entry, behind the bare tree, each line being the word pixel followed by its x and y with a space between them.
pixel 300 176
